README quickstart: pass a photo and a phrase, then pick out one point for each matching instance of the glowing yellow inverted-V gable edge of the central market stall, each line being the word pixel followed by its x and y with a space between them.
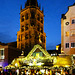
pixel 41 49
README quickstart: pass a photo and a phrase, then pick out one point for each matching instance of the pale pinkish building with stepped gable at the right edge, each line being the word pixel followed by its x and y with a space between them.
pixel 68 31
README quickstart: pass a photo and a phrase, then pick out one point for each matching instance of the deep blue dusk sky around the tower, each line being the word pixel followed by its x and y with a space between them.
pixel 10 19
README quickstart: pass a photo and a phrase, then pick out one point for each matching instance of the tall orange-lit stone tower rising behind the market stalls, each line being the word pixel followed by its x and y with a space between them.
pixel 31 27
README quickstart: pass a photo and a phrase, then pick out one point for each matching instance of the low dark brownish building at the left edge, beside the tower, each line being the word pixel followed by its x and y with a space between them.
pixel 7 54
